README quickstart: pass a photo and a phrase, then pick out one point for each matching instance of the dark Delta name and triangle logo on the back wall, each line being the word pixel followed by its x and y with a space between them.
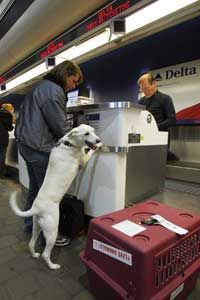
pixel 172 74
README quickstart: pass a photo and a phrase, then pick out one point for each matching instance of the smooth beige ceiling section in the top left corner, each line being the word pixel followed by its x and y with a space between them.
pixel 39 24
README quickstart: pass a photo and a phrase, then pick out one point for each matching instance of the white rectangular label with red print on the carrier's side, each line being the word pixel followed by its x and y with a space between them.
pixel 118 254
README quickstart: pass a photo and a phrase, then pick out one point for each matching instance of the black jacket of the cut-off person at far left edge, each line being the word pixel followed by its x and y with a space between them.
pixel 5 126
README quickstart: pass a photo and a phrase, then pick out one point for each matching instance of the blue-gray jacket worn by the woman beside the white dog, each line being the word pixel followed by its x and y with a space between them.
pixel 42 116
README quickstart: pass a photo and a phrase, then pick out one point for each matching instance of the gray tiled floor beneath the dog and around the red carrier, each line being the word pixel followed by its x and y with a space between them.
pixel 23 278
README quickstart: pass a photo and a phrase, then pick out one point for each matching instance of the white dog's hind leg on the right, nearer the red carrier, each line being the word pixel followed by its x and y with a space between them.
pixel 50 241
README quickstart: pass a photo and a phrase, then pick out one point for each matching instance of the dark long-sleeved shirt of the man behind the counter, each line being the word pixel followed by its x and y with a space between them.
pixel 161 107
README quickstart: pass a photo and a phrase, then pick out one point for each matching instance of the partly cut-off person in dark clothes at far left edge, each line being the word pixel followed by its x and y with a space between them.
pixel 6 125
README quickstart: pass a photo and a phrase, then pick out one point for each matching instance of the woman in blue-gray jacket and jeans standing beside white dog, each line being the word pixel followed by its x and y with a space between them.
pixel 41 122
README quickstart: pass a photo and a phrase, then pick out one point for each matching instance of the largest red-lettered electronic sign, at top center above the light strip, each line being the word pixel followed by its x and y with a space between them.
pixel 108 13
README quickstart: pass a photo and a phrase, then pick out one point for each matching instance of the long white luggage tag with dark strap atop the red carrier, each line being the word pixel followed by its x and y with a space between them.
pixel 158 220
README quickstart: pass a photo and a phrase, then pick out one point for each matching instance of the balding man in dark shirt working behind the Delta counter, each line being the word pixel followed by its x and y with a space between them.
pixel 158 104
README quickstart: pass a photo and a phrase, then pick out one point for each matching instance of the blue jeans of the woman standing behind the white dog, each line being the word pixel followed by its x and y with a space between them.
pixel 36 163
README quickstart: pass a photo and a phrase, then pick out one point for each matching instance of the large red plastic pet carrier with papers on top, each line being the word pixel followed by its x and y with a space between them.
pixel 142 260
